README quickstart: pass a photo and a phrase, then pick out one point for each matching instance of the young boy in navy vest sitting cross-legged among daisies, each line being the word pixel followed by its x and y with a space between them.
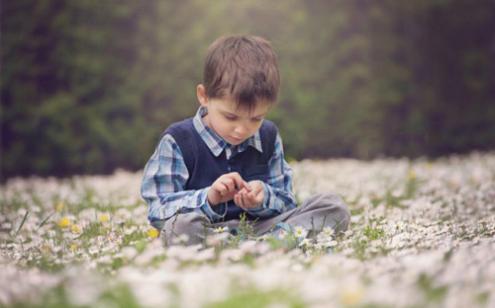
pixel 228 160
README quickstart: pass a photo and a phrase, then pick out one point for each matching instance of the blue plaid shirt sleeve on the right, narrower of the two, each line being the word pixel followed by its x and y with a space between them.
pixel 278 193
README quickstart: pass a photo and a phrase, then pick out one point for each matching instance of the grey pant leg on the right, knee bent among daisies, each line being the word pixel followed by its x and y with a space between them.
pixel 316 212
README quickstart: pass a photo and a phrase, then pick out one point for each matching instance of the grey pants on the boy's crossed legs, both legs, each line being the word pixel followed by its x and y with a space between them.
pixel 317 212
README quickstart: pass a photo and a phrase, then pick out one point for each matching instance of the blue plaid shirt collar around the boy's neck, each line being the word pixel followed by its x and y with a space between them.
pixel 217 144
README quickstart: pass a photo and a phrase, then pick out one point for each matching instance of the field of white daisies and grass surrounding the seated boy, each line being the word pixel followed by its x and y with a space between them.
pixel 422 233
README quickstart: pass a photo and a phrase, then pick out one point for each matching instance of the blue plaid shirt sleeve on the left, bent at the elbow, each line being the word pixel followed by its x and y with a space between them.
pixel 165 176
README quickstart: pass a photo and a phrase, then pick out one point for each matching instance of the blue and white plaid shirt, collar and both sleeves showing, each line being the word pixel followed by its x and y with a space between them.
pixel 165 176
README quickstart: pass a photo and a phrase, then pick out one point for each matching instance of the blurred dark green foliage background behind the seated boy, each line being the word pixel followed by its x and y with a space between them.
pixel 88 86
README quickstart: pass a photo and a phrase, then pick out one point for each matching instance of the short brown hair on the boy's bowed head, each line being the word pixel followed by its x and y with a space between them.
pixel 242 68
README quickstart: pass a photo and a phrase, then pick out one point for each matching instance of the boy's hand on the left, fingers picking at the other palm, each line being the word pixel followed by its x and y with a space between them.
pixel 225 187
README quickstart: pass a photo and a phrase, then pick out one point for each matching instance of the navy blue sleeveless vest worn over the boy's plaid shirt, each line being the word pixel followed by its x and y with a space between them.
pixel 204 168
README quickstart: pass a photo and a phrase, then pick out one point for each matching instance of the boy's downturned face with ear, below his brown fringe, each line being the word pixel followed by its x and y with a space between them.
pixel 230 121
